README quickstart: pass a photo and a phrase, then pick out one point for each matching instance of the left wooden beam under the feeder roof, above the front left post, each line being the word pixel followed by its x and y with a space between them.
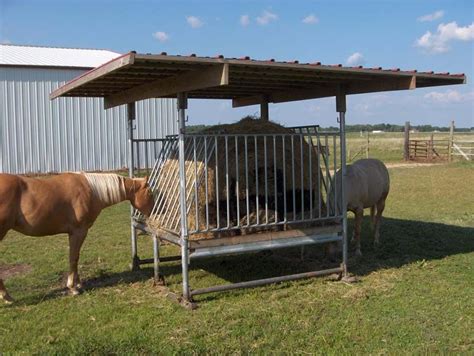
pixel 213 76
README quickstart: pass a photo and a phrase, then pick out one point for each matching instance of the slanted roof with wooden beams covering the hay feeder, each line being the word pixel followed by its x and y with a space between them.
pixel 134 77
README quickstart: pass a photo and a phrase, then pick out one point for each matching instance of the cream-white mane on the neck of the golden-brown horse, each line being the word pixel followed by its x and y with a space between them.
pixel 108 188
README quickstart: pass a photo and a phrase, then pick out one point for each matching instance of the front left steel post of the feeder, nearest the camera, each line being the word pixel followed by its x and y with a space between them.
pixel 182 106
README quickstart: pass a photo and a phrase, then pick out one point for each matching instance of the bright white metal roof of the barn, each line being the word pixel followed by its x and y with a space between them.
pixel 17 55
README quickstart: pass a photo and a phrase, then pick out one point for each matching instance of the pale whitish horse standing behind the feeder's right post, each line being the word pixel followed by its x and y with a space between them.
pixel 367 186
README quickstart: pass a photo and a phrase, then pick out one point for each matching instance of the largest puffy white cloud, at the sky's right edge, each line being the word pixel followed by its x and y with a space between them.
pixel 439 41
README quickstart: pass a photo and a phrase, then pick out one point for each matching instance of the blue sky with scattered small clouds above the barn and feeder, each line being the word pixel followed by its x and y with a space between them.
pixel 423 35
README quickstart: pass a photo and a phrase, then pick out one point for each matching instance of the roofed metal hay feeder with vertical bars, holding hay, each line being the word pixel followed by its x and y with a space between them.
pixel 245 187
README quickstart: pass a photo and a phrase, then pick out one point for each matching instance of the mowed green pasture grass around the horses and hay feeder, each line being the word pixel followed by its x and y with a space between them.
pixel 415 294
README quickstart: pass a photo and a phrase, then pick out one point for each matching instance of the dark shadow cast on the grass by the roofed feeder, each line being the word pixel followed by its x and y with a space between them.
pixel 402 242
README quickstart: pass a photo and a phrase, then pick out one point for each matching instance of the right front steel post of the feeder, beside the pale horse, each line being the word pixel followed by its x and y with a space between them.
pixel 341 109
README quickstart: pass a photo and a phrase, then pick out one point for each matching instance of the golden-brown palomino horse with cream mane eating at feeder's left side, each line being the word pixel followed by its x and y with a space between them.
pixel 67 203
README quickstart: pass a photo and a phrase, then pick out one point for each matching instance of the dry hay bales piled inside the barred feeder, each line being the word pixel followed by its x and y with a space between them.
pixel 266 172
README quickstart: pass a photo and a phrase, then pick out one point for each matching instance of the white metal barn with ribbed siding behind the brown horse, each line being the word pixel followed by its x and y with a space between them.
pixel 70 134
